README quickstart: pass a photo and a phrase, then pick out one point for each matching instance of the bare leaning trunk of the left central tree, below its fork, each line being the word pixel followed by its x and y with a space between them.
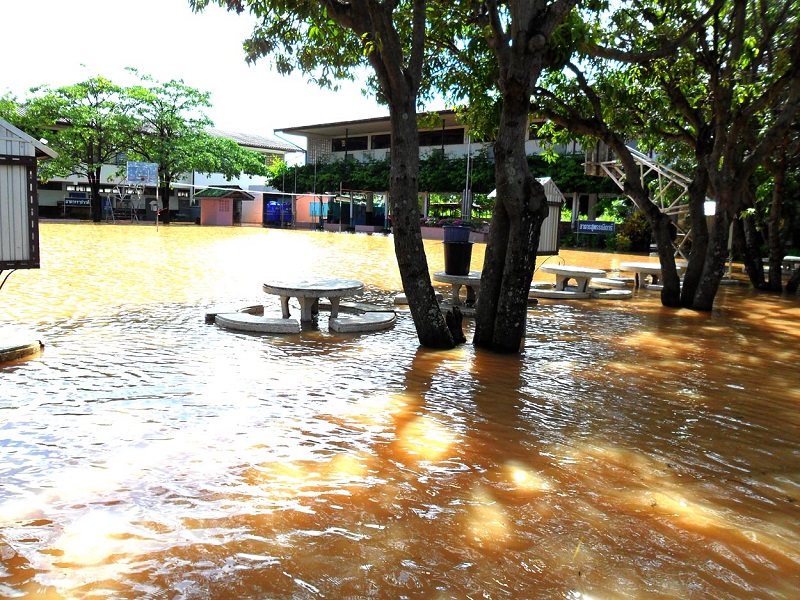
pixel 431 328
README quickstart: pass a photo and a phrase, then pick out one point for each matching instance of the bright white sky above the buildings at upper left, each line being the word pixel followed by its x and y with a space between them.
pixel 48 41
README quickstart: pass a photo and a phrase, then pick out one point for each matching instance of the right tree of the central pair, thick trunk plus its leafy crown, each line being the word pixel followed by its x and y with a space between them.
pixel 491 55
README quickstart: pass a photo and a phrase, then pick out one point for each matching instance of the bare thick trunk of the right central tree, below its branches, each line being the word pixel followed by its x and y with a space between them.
pixel 520 210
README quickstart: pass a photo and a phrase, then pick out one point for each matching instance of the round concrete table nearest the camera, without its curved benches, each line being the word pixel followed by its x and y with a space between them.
pixel 309 291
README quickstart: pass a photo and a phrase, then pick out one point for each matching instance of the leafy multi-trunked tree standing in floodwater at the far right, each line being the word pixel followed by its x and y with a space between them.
pixel 716 84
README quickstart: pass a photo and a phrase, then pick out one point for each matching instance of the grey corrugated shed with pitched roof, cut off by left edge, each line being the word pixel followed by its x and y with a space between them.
pixel 19 198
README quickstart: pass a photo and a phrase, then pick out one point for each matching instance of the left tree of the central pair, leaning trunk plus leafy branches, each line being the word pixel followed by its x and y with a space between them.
pixel 332 40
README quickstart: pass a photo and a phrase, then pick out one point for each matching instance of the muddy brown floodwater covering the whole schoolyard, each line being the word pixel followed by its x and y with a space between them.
pixel 630 451
